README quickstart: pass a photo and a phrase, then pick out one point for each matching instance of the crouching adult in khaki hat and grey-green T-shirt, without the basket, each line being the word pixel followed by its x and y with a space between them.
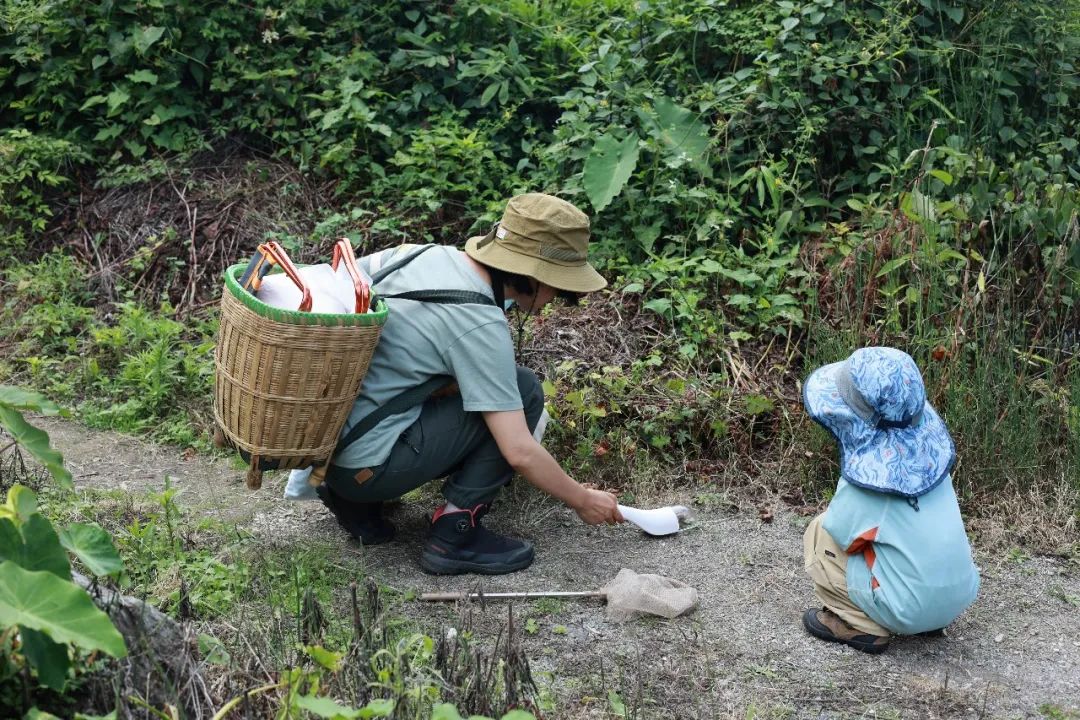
pixel 443 397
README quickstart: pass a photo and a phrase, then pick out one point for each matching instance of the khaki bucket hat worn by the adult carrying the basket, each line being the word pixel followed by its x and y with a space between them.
pixel 541 237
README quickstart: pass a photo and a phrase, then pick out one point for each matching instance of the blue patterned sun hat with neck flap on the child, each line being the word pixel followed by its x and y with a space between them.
pixel 875 405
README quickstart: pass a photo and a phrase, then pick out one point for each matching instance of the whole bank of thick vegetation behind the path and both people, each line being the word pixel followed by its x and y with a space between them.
pixel 772 185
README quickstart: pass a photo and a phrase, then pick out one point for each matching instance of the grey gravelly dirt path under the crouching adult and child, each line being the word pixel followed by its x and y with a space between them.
pixel 742 655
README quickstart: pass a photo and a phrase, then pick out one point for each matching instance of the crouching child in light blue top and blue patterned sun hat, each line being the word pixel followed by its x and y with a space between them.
pixel 889 556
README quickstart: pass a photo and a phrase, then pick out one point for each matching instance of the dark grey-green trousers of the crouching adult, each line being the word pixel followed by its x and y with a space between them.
pixel 445 442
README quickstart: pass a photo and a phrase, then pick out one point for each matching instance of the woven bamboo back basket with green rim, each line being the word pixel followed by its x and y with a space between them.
pixel 286 381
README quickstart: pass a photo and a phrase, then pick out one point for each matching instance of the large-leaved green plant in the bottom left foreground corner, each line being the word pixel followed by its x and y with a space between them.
pixel 45 617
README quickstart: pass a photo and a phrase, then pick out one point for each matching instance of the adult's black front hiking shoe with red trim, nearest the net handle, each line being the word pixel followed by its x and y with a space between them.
pixel 458 544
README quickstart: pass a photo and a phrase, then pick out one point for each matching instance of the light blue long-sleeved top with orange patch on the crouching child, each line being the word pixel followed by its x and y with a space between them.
pixel 911 570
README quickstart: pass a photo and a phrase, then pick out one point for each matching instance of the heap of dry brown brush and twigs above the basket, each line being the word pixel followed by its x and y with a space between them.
pixel 172 232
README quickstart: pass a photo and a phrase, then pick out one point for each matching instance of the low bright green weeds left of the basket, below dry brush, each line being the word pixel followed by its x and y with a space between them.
pixel 133 370
